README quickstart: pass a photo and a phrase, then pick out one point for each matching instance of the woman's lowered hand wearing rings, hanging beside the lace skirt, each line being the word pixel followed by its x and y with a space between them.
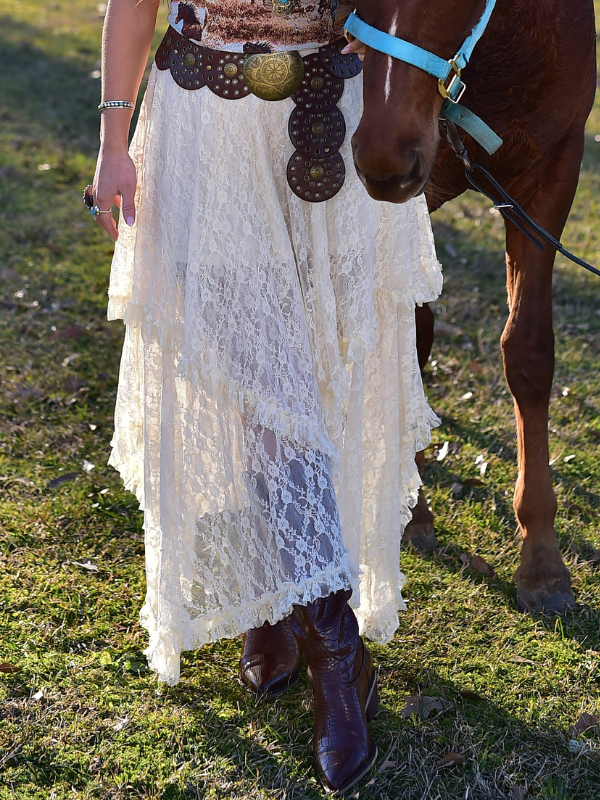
pixel 114 182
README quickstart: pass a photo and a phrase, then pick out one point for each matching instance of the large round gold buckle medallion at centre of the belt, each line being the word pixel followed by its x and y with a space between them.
pixel 273 76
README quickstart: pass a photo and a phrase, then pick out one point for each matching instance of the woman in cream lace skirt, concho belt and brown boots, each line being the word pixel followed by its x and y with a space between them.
pixel 270 402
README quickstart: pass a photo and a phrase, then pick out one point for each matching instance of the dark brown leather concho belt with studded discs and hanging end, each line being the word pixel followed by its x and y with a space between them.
pixel 317 129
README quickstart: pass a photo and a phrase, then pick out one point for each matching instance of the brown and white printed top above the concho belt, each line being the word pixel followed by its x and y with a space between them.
pixel 259 26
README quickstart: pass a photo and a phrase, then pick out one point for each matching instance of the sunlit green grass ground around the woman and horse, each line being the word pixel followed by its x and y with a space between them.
pixel 83 717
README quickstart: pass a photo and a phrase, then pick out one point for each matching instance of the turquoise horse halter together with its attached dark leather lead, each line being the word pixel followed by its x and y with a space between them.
pixel 452 88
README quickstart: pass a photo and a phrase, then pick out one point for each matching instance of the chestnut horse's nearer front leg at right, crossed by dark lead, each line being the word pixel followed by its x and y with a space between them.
pixel 543 582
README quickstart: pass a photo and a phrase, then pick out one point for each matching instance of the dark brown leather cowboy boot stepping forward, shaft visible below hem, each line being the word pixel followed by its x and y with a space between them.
pixel 344 684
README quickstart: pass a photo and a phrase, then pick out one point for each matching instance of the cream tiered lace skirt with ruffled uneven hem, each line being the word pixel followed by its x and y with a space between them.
pixel 270 403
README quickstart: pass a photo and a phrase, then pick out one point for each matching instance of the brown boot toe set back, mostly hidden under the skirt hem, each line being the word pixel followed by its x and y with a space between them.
pixel 270 661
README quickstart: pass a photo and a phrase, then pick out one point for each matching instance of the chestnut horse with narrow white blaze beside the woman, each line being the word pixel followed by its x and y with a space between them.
pixel 532 79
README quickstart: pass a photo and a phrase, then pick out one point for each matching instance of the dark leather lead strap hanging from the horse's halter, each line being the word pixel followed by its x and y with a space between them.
pixel 507 205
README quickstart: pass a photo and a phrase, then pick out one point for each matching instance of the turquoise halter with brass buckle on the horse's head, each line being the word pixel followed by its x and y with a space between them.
pixel 448 73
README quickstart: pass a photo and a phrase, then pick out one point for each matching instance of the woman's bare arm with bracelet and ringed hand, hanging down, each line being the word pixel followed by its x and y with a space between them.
pixel 127 37
